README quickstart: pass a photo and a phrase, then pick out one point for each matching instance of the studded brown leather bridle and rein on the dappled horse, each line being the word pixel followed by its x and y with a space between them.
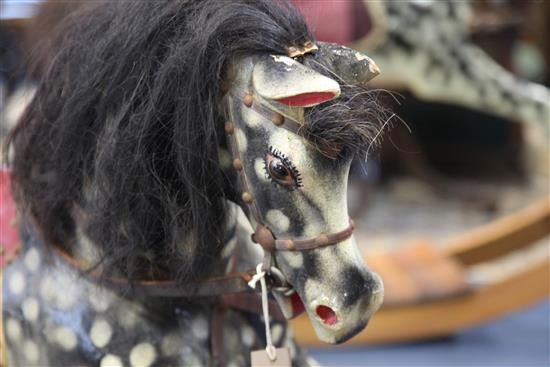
pixel 235 282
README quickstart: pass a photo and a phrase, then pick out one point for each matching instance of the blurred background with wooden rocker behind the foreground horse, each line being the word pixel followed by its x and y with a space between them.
pixel 452 208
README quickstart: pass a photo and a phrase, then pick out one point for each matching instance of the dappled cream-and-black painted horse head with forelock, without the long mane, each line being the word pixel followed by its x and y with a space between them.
pixel 292 134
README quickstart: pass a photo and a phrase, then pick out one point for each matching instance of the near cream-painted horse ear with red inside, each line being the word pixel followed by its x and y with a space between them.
pixel 286 81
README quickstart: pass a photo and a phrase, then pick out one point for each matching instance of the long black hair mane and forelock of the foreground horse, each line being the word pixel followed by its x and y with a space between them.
pixel 125 124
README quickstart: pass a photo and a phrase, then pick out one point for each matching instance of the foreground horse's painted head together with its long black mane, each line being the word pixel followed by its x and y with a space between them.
pixel 131 119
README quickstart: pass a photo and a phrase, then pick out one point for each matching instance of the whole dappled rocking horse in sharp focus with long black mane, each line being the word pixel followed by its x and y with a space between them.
pixel 160 132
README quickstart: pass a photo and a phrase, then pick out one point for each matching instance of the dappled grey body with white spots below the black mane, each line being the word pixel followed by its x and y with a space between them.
pixel 55 317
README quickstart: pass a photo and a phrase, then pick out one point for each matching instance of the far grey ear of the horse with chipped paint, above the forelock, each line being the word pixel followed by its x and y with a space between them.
pixel 351 66
